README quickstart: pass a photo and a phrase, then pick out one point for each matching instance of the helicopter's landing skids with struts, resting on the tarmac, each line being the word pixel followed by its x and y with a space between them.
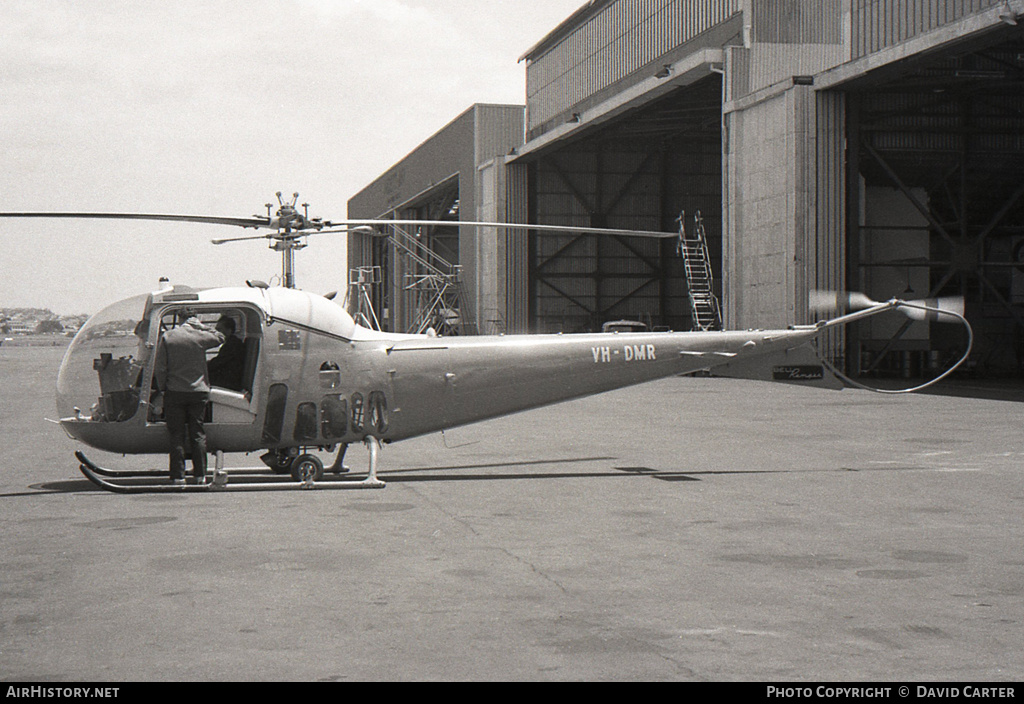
pixel 96 474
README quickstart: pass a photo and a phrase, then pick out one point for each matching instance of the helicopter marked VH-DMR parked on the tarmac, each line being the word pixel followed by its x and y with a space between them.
pixel 313 379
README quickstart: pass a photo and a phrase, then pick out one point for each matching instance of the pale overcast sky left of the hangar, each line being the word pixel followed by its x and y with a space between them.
pixel 210 108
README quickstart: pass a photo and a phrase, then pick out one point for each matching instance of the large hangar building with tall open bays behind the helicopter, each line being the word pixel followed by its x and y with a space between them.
pixel 873 146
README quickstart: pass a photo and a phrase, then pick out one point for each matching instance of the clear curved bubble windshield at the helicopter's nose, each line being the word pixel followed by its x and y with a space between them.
pixel 102 373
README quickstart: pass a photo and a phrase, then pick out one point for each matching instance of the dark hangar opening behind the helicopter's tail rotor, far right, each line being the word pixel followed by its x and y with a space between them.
pixel 940 179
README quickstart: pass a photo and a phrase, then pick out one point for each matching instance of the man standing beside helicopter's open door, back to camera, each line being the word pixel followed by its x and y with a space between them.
pixel 182 377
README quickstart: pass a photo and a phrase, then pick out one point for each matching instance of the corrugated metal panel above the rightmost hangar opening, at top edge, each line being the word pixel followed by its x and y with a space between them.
pixel 877 25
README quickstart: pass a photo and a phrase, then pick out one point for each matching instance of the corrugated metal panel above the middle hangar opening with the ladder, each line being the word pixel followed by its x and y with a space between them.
pixel 618 41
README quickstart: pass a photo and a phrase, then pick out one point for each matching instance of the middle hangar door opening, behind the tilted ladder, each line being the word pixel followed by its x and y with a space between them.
pixel 639 172
